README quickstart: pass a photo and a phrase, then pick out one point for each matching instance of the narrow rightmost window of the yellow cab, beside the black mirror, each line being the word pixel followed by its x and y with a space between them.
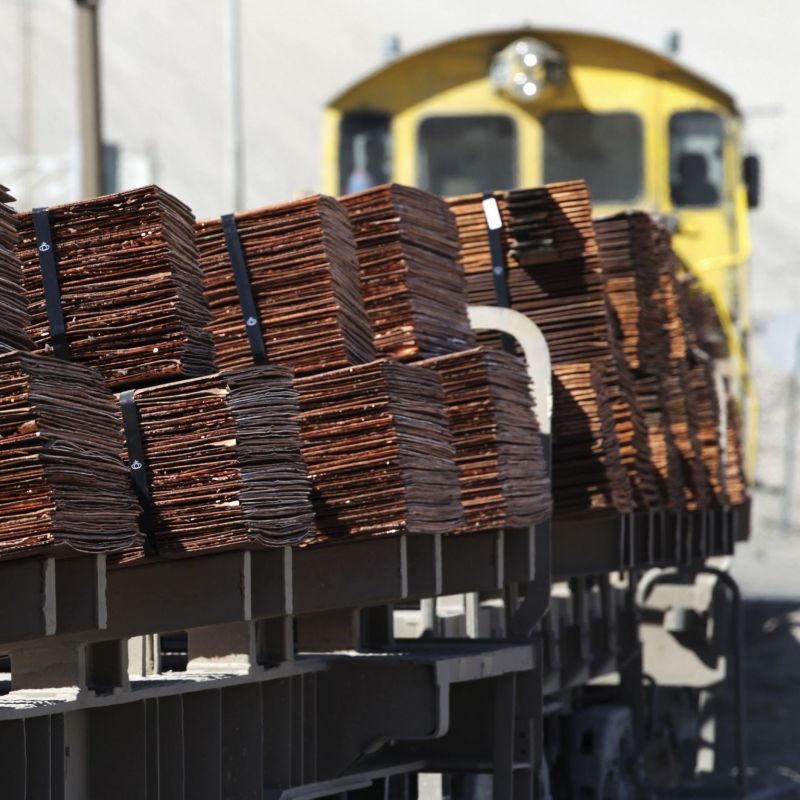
pixel 696 169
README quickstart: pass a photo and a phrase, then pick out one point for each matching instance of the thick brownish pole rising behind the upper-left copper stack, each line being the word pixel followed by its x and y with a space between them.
pixel 90 108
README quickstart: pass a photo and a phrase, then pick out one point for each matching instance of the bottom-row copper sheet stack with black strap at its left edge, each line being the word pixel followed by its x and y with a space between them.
pixel 222 461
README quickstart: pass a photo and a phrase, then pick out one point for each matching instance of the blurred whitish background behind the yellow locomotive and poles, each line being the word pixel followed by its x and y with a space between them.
pixel 164 92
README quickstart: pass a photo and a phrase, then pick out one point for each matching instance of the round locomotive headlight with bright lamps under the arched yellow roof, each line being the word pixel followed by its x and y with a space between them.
pixel 524 69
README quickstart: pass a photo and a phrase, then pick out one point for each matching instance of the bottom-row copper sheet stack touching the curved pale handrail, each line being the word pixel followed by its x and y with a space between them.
pixel 496 437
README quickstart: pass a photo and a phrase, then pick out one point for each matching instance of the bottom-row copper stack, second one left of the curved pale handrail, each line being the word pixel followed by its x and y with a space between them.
pixel 379 453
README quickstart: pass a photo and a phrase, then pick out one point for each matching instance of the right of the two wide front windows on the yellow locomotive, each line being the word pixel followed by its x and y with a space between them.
pixel 603 149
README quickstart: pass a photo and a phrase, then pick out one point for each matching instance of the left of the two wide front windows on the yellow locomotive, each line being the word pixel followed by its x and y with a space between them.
pixel 461 155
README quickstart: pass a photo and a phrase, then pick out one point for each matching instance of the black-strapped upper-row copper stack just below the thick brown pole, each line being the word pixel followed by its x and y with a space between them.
pixel 130 288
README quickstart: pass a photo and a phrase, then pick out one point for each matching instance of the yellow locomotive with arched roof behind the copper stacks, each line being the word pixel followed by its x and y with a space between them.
pixel 525 107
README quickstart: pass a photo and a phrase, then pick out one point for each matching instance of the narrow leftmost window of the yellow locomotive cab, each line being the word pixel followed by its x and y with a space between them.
pixel 364 147
